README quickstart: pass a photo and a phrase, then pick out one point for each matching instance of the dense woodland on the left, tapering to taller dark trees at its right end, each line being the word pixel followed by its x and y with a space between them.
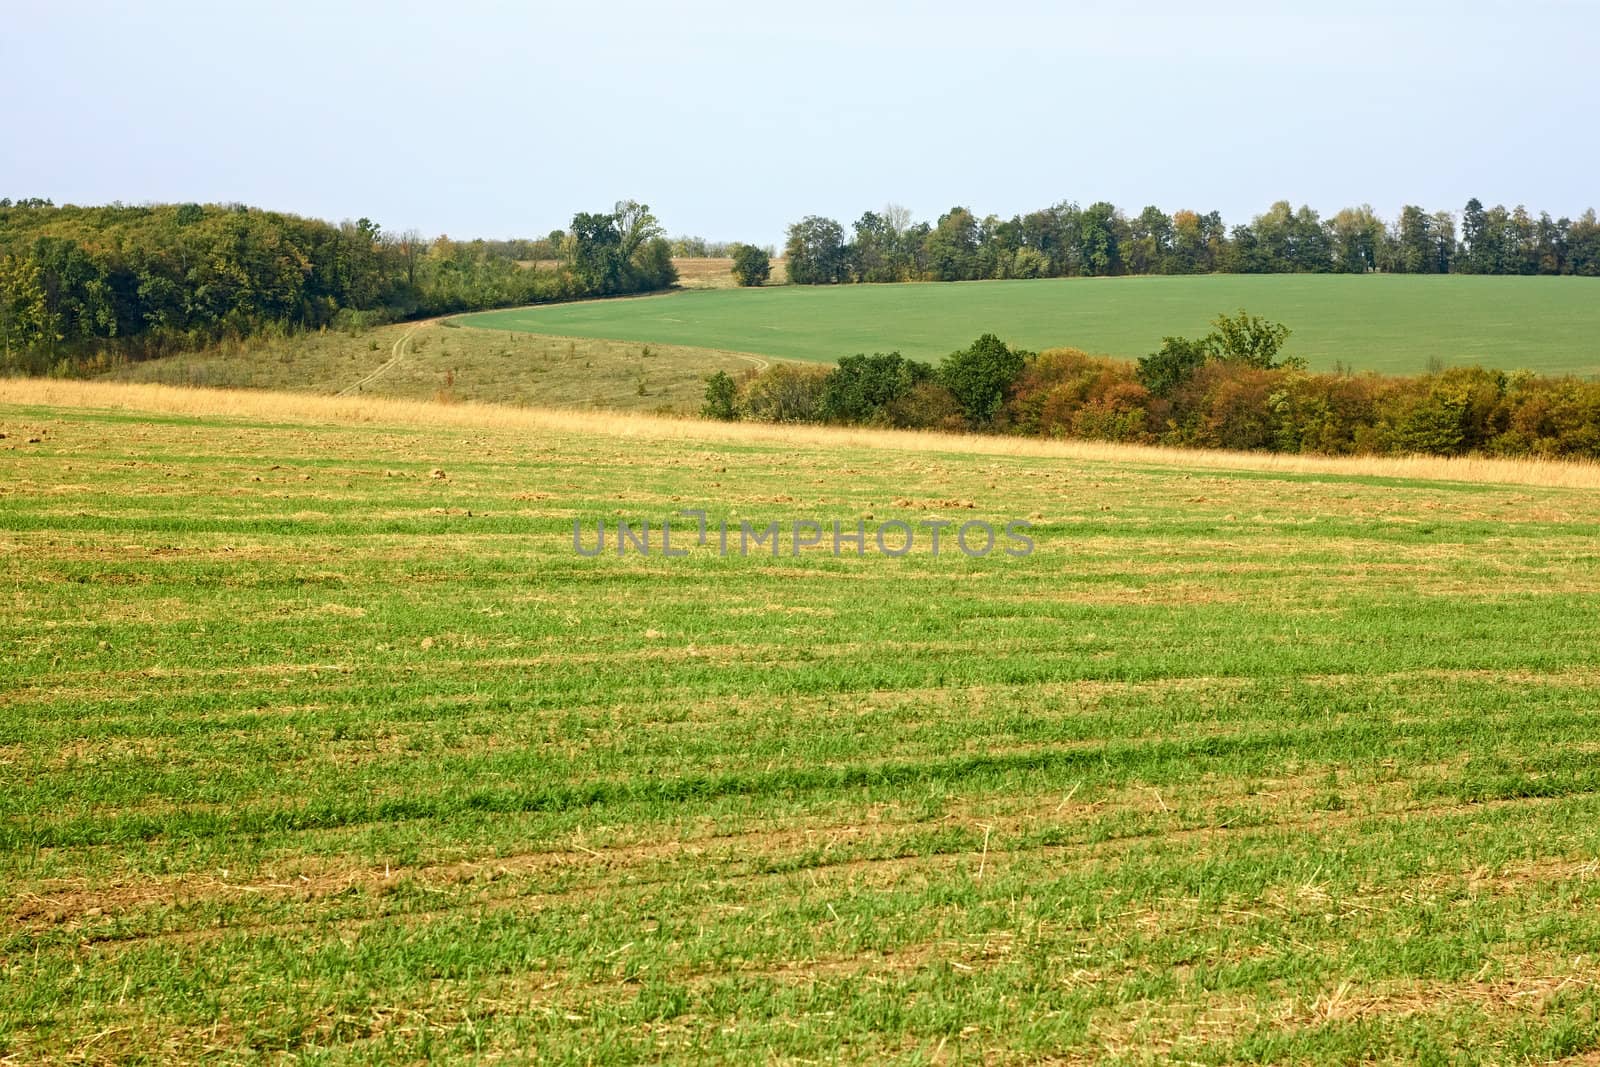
pixel 153 279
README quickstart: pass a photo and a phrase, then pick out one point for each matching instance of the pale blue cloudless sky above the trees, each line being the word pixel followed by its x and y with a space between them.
pixel 735 119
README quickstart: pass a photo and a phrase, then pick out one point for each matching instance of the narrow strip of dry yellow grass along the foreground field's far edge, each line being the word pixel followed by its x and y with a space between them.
pixel 313 409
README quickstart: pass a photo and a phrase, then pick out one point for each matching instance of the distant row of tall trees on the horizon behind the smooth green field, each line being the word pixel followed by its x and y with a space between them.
pixel 1066 241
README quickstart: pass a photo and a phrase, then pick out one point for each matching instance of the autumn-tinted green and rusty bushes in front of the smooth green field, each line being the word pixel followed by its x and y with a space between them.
pixel 1234 388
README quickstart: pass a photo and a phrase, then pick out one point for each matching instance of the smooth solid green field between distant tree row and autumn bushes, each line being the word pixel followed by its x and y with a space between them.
pixel 1393 324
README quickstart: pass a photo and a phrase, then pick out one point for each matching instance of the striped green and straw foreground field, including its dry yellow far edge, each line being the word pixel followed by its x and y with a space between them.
pixel 319 745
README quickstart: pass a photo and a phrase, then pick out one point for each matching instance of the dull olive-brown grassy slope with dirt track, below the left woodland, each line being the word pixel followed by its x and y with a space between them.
pixel 447 362
